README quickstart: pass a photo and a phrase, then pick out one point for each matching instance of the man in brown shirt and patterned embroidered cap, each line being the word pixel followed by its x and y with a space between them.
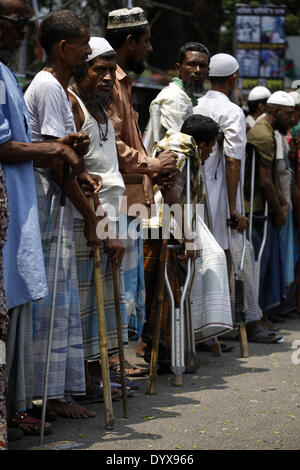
pixel 128 32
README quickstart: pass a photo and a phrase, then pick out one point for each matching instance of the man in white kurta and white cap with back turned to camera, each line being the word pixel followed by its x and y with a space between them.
pixel 223 74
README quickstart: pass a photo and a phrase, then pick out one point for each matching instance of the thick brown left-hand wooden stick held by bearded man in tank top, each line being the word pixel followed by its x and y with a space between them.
pixel 109 417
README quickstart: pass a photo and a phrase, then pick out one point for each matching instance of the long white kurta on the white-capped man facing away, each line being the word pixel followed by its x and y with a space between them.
pixel 231 120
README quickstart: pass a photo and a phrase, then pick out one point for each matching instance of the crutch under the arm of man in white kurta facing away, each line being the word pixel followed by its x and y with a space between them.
pixel 238 268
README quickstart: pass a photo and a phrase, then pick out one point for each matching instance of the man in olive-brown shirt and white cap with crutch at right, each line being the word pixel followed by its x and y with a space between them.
pixel 261 138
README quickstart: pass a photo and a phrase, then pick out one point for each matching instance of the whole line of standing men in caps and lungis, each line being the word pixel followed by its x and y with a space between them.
pixel 78 111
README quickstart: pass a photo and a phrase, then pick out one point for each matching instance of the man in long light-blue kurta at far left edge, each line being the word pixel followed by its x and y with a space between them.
pixel 23 264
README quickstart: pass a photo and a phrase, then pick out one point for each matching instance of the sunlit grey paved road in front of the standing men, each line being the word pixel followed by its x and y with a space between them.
pixel 230 403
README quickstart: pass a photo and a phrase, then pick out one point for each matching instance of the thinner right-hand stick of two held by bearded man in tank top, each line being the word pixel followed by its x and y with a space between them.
pixel 120 339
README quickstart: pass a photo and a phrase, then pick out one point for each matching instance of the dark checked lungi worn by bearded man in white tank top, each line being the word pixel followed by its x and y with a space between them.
pixel 87 294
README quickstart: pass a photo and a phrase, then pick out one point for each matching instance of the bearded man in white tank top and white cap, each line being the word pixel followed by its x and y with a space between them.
pixel 91 96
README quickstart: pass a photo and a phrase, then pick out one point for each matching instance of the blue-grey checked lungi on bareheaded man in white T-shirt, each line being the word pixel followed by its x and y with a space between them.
pixel 66 372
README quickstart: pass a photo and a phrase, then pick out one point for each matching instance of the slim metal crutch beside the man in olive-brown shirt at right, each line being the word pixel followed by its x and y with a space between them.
pixel 263 218
